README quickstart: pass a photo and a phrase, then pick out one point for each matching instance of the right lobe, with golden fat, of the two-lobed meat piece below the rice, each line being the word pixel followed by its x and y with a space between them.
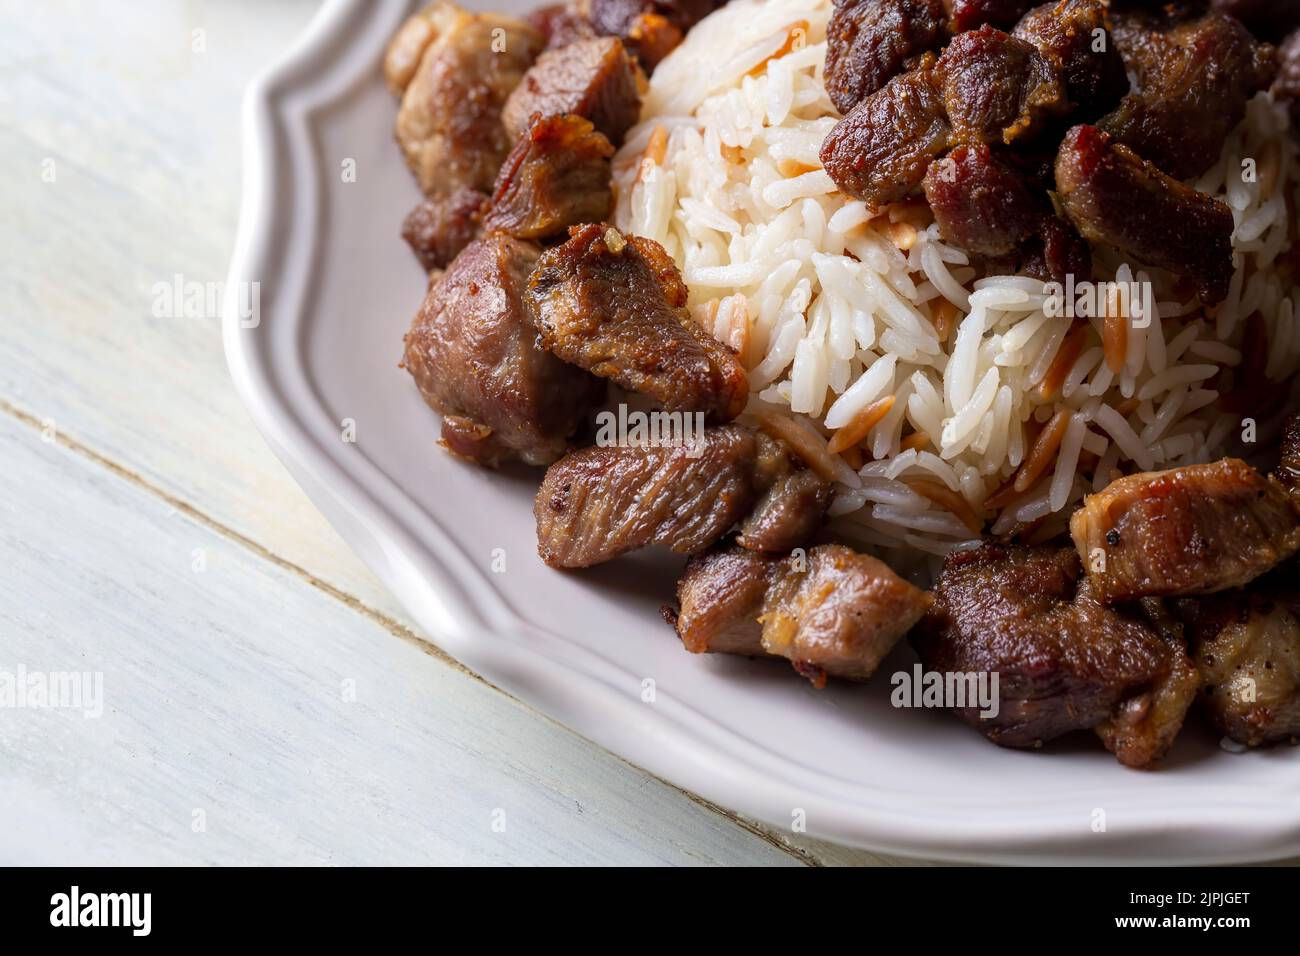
pixel 838 612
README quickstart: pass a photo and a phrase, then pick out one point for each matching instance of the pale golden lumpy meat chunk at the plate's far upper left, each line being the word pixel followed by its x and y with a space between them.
pixel 449 123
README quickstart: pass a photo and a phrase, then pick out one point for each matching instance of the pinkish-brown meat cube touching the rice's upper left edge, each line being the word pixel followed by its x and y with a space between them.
pixel 596 80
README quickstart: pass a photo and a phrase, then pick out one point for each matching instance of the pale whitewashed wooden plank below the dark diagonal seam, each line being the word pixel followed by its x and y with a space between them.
pixel 300 730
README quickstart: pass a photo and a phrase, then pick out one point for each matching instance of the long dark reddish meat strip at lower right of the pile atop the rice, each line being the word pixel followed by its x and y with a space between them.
pixel 1112 196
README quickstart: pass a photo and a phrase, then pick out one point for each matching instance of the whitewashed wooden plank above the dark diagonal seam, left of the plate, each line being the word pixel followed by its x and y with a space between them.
pixel 145 159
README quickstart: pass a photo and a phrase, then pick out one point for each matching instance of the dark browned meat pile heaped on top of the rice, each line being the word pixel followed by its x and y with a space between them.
pixel 1033 128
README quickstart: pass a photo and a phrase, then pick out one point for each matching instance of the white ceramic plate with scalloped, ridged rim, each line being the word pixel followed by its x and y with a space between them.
pixel 337 292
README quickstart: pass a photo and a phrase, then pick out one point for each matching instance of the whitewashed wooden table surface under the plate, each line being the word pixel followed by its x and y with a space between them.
pixel 265 700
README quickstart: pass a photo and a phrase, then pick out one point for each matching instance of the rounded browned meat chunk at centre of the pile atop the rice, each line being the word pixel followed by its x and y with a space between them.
pixel 998 89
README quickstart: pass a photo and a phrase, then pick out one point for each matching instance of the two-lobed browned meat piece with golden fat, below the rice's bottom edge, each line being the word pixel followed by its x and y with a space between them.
pixel 829 612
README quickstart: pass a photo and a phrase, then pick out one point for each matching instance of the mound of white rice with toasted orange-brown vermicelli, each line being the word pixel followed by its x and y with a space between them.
pixel 837 310
